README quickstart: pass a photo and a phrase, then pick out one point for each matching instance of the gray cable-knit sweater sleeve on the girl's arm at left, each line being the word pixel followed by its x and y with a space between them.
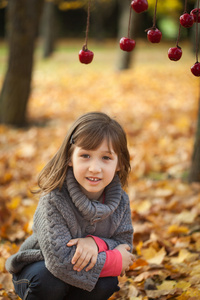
pixel 53 235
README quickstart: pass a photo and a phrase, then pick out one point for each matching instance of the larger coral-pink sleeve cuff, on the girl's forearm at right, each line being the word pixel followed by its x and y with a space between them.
pixel 113 264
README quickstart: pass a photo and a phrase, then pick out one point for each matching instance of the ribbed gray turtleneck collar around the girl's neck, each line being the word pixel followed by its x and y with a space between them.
pixel 94 211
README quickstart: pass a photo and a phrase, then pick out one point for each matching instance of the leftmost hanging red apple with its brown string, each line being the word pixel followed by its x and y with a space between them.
pixel 85 55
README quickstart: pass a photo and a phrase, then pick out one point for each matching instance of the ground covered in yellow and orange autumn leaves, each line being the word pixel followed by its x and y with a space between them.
pixel 156 101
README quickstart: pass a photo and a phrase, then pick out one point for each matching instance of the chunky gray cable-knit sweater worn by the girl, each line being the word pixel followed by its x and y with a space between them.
pixel 68 214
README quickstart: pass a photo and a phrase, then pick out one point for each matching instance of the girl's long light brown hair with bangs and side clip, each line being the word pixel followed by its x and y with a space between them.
pixel 87 132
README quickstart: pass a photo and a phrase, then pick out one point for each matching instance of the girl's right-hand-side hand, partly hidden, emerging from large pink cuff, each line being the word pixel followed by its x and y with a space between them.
pixel 127 257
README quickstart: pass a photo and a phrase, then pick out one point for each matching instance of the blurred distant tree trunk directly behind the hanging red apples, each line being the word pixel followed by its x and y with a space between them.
pixel 124 58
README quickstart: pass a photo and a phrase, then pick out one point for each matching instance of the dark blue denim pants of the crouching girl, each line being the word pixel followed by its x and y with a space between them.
pixel 35 282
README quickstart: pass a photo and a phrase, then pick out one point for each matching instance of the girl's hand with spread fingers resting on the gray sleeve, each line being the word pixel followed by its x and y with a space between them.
pixel 86 251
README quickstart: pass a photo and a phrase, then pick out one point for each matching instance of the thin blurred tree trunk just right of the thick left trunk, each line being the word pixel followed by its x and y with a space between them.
pixel 49 28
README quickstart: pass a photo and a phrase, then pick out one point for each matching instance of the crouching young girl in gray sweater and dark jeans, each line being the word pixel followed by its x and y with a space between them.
pixel 82 233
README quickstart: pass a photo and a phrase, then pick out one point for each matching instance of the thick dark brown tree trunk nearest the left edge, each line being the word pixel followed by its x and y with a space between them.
pixel 22 24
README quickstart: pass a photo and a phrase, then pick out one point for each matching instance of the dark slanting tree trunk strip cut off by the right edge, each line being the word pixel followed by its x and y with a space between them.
pixel 194 175
